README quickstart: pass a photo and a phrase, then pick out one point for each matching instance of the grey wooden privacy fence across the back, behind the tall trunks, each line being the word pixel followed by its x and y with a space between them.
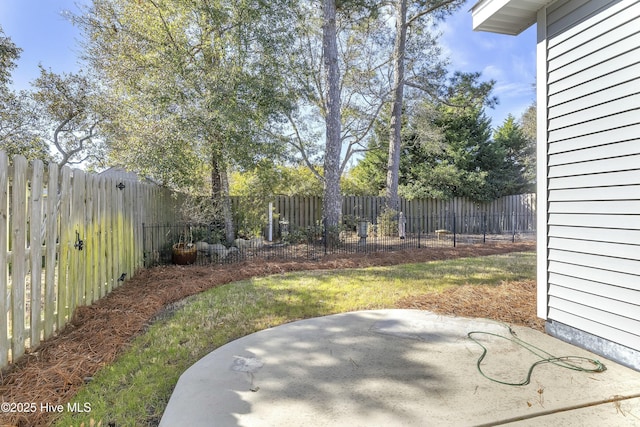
pixel 515 212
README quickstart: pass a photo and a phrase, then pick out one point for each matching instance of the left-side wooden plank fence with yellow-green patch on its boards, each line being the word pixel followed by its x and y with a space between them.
pixel 67 238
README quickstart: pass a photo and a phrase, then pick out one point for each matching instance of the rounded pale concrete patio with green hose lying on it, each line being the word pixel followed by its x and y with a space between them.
pixel 398 368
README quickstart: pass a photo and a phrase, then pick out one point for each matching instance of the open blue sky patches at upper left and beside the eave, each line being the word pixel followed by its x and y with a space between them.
pixel 38 27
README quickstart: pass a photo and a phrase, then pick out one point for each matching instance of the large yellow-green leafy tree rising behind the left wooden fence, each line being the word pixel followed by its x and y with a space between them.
pixel 201 79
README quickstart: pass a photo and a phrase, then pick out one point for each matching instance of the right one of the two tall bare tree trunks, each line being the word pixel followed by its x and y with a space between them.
pixel 395 125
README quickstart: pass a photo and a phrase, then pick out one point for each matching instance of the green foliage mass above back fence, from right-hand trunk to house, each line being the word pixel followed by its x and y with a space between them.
pixel 448 150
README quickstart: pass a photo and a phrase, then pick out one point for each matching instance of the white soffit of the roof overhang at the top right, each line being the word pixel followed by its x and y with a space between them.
pixel 506 16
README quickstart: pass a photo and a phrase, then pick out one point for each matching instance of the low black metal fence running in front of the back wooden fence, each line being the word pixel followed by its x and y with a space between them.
pixel 204 244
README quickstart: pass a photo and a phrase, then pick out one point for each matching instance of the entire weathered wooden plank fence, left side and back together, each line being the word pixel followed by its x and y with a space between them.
pixel 68 238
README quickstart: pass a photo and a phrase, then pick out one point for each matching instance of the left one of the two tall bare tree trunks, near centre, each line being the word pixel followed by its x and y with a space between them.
pixel 332 204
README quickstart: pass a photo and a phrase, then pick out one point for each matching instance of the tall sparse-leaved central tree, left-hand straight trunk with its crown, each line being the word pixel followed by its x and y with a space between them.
pixel 337 70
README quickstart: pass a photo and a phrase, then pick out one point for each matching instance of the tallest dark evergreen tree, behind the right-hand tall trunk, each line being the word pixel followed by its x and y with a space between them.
pixel 445 142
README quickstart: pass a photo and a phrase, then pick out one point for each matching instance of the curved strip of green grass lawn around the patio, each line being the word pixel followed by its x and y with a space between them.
pixel 135 389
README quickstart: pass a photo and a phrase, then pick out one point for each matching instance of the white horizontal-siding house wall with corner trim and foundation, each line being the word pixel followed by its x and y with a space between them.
pixel 592 161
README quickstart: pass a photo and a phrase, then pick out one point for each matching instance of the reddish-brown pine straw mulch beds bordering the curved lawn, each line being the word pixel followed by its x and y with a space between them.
pixel 97 334
